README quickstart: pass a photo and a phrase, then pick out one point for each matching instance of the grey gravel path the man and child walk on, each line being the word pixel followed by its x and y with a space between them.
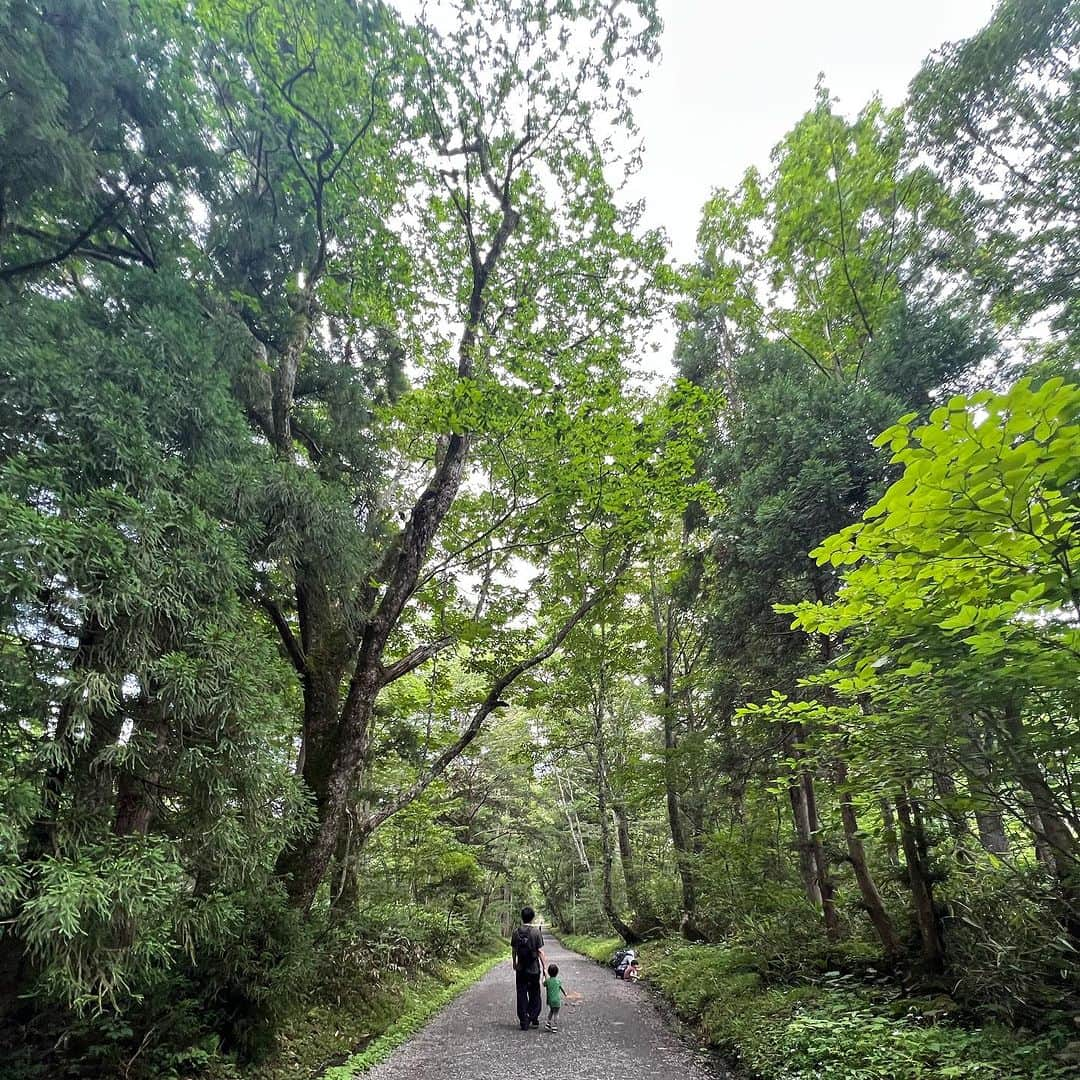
pixel 617 1031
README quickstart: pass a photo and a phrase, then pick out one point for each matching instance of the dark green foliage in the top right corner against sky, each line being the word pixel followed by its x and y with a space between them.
pixel 1001 112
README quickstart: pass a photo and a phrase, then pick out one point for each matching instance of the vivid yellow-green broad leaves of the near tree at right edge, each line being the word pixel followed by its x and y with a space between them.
pixel 975 550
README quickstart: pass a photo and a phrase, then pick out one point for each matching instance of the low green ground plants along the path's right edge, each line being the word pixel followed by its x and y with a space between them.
pixel 836 1027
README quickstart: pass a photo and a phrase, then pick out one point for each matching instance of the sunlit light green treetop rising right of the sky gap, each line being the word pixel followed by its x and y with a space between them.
pixel 823 249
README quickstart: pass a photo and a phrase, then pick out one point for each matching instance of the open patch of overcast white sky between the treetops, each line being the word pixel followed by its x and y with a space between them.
pixel 736 75
